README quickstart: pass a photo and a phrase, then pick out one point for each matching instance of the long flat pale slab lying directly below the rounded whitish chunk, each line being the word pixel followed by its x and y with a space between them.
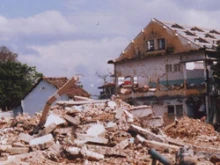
pixel 89 138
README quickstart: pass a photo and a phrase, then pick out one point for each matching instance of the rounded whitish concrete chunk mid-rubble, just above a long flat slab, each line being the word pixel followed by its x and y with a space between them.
pixel 96 130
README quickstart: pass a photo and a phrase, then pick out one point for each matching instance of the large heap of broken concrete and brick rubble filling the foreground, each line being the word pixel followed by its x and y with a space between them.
pixel 99 132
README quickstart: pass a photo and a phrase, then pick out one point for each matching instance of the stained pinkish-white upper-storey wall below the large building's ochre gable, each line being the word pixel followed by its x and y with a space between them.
pixel 150 69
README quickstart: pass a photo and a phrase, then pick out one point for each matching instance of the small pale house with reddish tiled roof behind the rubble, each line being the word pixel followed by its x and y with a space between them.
pixel 37 97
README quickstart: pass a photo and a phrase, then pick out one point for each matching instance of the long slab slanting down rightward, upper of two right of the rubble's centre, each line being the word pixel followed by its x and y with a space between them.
pixel 146 133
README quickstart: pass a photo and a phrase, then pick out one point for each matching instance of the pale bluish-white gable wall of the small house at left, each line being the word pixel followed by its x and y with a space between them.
pixel 37 98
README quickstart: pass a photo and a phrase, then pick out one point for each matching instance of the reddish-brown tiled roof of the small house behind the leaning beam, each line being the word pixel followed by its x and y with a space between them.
pixel 72 91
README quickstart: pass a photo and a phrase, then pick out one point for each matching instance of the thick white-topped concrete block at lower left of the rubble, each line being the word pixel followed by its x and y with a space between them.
pixel 42 142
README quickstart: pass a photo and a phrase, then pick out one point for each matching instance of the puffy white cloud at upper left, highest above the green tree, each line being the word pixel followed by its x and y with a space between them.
pixel 46 24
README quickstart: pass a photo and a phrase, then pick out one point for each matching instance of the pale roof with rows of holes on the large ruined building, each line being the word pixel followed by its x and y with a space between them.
pixel 197 36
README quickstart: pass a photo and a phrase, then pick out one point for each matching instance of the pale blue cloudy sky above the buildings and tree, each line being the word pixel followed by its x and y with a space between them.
pixel 78 37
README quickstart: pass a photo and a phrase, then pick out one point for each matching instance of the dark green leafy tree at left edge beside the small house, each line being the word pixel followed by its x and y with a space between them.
pixel 16 79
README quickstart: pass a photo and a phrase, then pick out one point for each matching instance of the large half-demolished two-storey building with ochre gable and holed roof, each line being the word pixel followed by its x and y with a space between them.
pixel 169 66
